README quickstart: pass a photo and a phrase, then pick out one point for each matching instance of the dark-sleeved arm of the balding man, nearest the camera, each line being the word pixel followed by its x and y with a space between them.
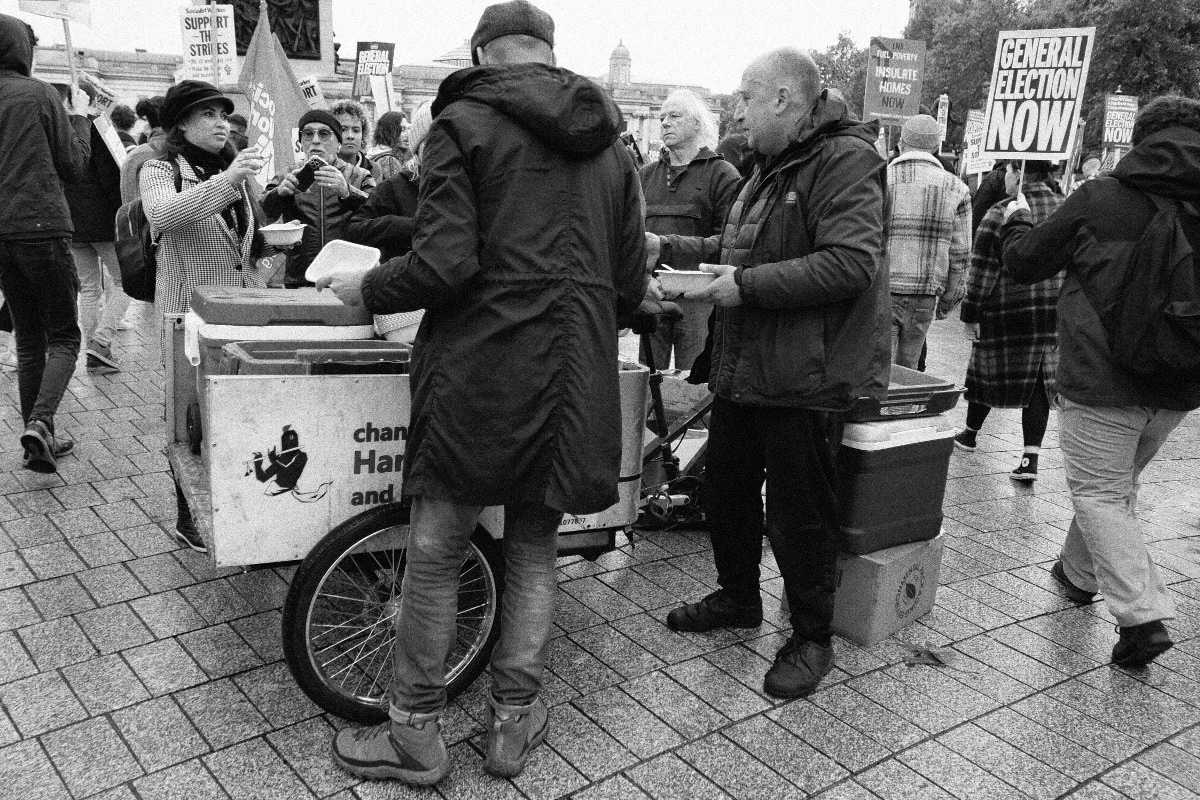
pixel 848 245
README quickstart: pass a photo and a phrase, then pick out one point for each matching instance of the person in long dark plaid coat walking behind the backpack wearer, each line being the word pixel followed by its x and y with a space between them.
pixel 1016 345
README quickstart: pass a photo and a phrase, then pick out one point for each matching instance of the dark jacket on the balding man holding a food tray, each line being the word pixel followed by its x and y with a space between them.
pixel 814 330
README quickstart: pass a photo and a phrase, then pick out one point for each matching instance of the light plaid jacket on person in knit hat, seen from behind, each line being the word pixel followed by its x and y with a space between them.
pixel 929 230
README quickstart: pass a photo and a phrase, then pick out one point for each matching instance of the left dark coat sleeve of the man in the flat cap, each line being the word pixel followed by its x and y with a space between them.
pixel 446 249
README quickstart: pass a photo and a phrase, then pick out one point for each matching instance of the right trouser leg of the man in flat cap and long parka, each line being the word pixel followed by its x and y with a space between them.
pixel 531 591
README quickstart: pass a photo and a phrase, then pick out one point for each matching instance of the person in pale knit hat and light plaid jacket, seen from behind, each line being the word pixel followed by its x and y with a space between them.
pixel 928 242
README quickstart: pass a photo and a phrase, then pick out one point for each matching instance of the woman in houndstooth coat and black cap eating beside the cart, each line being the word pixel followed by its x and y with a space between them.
pixel 200 208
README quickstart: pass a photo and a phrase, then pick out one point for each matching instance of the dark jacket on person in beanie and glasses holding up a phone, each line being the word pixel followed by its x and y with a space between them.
pixel 325 215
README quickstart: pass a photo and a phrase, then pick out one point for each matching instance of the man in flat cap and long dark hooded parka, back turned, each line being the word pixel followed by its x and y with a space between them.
pixel 529 249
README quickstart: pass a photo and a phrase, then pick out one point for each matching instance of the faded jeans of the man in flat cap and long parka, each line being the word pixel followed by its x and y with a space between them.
pixel 425 627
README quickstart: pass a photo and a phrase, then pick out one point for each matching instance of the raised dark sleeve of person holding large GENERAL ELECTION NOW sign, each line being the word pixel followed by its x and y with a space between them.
pixel 1036 254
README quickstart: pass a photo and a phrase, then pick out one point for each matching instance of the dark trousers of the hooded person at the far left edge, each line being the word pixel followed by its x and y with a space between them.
pixel 39 281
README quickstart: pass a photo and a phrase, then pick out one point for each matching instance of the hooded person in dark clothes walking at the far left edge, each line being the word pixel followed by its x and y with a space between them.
pixel 40 148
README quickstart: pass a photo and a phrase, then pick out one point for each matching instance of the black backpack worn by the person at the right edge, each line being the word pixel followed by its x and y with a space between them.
pixel 1154 320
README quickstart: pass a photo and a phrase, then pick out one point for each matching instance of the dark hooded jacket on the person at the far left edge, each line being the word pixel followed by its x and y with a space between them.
pixel 40 146
